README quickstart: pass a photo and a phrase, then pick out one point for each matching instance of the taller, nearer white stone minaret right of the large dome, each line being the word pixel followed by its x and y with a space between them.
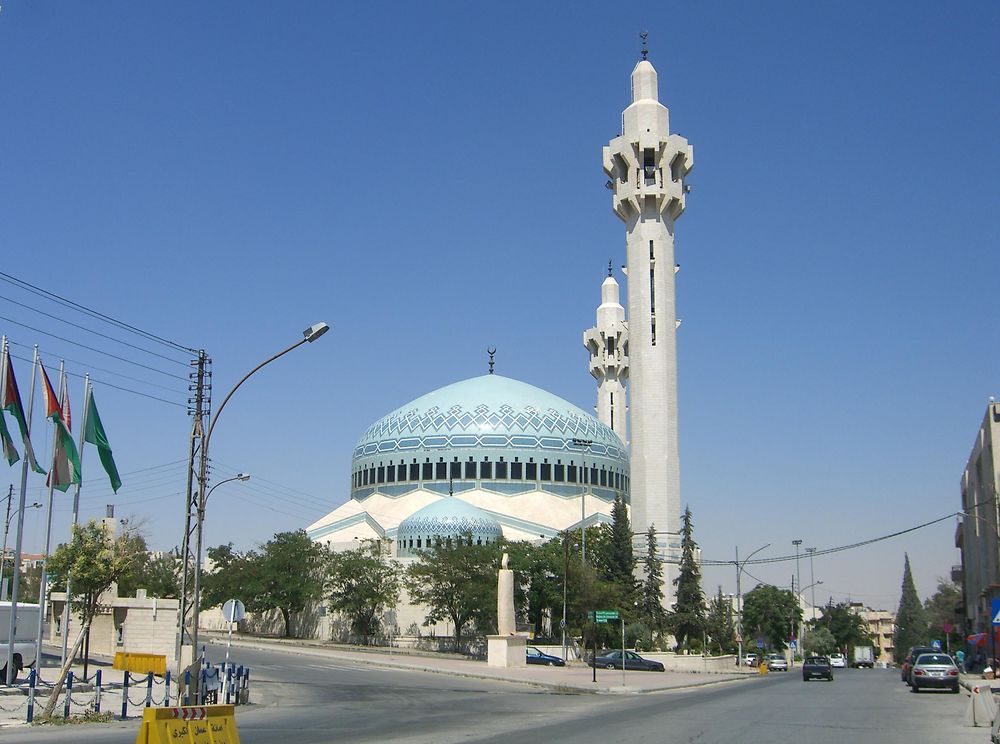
pixel 646 166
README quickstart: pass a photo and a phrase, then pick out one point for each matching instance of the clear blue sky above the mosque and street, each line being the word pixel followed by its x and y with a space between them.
pixel 427 179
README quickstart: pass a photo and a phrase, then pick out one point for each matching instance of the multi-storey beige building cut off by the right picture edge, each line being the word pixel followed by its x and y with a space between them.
pixel 978 533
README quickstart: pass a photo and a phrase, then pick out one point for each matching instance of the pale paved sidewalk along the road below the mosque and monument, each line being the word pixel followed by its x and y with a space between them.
pixel 574 677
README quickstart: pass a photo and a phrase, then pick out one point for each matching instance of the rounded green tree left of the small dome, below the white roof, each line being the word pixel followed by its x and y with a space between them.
pixel 363 584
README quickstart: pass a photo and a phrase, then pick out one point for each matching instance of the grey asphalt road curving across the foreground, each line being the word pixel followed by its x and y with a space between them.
pixel 312 700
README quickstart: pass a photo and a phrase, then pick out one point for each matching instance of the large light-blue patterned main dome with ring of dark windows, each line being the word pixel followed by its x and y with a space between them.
pixel 486 431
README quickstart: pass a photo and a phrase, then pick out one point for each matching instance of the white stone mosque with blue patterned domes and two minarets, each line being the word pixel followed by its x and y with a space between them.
pixel 497 457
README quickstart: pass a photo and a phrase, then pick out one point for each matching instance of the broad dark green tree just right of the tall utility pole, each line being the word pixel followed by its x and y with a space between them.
pixel 285 575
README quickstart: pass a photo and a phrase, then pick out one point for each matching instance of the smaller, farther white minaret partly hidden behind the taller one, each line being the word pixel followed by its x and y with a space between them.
pixel 607 344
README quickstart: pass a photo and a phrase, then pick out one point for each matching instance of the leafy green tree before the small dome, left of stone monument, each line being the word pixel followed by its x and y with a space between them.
pixel 458 581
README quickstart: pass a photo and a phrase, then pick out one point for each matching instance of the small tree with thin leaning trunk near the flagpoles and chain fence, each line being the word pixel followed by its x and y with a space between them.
pixel 92 560
